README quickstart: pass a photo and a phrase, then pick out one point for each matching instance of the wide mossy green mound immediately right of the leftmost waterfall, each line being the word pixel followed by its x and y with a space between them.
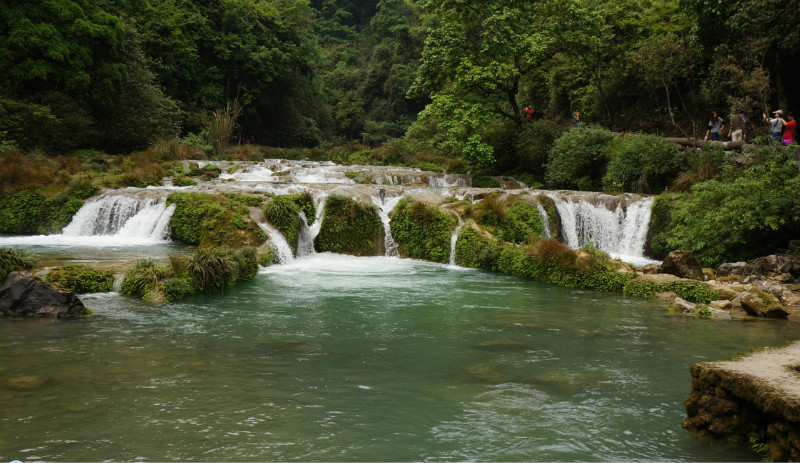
pixel 212 220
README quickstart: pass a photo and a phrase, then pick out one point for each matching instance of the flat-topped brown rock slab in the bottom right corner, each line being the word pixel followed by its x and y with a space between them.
pixel 755 395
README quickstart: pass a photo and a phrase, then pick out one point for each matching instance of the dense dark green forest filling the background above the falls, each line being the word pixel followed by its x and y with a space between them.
pixel 449 75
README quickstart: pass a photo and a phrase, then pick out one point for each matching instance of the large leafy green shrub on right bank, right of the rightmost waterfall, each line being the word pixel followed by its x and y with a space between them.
pixel 752 213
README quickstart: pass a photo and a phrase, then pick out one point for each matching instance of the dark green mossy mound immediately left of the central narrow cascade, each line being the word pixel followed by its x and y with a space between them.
pixel 350 227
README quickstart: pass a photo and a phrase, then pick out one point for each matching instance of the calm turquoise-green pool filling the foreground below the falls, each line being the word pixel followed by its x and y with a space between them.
pixel 334 358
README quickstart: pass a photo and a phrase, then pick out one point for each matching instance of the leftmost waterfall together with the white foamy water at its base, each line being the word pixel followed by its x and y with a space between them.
pixel 129 217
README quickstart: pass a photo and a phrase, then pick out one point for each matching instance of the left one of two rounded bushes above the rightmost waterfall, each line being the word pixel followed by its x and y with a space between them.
pixel 578 159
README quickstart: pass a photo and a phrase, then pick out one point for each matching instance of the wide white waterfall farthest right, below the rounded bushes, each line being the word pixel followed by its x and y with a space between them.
pixel 616 225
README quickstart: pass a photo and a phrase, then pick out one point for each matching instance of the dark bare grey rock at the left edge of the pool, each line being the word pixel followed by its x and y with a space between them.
pixel 24 296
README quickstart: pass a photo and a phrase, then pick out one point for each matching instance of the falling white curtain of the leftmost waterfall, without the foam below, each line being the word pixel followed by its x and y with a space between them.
pixel 123 215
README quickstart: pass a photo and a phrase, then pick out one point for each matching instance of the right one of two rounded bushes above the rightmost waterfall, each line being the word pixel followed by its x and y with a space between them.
pixel 642 164
